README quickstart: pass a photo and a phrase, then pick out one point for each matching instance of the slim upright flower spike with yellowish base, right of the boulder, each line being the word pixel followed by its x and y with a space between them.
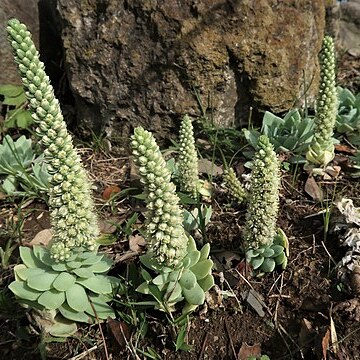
pixel 321 150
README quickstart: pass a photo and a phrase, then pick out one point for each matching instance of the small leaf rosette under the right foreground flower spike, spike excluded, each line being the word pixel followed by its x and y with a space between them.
pixel 265 258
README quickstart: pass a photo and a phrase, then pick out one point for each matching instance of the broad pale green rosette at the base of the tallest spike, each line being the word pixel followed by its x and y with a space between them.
pixel 77 289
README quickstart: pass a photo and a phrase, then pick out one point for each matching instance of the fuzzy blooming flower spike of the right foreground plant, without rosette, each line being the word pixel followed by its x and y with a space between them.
pixel 261 216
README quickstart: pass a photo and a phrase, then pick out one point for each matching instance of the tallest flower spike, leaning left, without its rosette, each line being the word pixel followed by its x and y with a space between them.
pixel 73 219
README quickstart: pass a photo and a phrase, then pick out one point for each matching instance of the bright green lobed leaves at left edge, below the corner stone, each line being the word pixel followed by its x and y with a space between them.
pixel 16 113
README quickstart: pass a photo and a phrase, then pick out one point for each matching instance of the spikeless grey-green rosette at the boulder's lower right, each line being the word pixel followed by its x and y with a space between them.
pixel 293 133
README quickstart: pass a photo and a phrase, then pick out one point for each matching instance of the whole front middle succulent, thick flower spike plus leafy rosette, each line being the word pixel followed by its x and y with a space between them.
pixel 182 272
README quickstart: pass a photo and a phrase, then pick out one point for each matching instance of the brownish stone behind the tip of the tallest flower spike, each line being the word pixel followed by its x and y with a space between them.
pixel 27 12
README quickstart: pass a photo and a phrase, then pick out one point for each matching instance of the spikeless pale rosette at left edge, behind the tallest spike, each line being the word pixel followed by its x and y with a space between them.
pixel 21 168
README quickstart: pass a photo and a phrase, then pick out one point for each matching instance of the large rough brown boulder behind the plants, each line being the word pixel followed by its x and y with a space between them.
pixel 141 62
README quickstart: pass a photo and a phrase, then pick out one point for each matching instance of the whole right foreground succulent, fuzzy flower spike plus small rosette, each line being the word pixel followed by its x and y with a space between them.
pixel 265 247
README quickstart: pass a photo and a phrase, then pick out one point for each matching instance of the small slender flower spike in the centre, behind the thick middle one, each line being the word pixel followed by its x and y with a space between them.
pixel 188 161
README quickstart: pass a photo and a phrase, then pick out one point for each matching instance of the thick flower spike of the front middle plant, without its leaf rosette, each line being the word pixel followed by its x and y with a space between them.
pixel 165 233
